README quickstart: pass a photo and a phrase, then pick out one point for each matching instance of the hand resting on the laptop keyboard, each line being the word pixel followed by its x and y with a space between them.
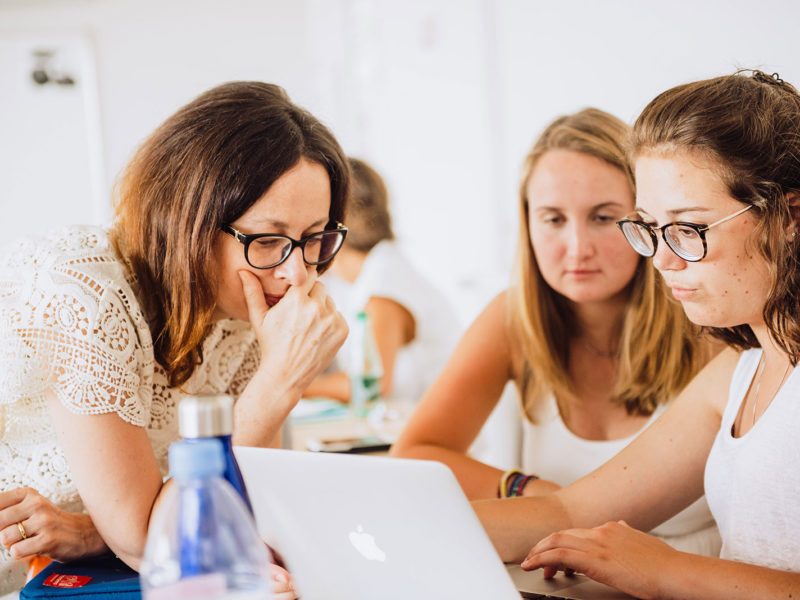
pixel 614 554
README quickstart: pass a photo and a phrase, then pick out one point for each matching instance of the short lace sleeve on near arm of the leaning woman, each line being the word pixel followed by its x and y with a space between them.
pixel 80 339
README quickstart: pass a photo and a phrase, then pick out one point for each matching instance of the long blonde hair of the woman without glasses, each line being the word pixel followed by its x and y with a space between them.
pixel 659 349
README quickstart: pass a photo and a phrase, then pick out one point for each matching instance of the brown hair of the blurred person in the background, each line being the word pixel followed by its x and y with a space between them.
pixel 368 218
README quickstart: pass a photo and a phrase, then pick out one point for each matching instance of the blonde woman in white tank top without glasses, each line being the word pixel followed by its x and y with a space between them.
pixel 586 332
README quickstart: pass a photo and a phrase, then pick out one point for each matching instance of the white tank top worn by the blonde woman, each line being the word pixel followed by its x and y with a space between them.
pixel 553 452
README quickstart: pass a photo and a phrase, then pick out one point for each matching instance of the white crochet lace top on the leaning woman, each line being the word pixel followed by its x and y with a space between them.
pixel 70 322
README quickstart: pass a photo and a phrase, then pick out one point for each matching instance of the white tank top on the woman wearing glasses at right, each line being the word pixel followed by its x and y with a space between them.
pixel 753 482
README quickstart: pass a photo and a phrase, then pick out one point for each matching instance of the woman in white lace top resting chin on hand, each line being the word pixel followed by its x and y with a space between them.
pixel 206 283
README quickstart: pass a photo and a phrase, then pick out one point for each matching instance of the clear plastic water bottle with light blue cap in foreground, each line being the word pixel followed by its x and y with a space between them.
pixel 202 541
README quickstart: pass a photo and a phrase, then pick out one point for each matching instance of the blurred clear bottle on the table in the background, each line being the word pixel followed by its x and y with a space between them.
pixel 366 368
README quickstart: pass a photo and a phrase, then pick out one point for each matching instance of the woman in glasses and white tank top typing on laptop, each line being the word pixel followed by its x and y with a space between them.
pixel 717 166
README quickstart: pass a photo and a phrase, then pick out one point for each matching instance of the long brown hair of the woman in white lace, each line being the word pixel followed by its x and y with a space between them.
pixel 203 167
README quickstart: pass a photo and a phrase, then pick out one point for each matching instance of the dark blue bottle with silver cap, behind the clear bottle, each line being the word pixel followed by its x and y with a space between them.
pixel 202 417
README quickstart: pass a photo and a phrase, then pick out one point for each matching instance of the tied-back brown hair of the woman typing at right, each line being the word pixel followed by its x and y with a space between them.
pixel 748 124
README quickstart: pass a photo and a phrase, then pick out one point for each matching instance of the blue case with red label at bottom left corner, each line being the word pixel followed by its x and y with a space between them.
pixel 98 577
